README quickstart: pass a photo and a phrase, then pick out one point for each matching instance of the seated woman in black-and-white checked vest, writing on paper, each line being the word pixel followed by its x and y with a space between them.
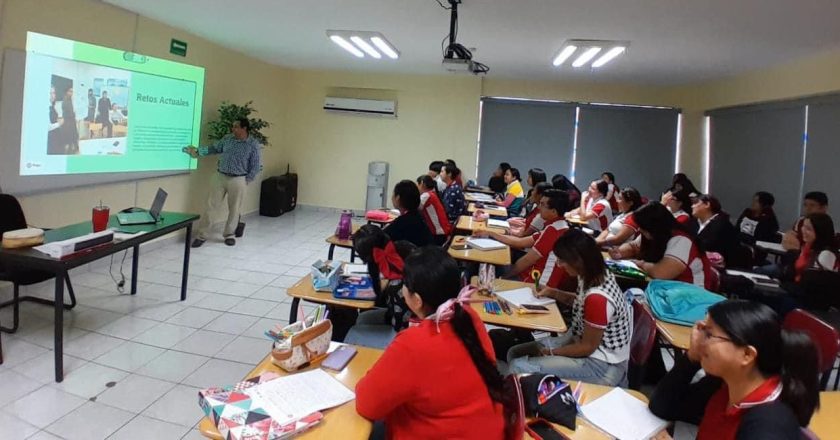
pixel 597 347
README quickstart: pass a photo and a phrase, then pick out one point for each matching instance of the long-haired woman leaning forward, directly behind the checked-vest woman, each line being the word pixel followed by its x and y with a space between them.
pixel 665 250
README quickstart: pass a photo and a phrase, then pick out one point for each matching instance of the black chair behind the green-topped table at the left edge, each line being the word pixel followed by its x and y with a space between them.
pixel 12 219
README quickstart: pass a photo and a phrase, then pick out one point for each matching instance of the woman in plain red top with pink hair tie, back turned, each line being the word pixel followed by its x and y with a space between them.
pixel 437 379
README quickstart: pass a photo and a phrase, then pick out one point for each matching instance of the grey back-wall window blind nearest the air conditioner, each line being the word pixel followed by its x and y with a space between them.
pixel 527 134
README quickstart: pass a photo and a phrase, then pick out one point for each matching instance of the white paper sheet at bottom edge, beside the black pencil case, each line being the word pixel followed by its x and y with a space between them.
pixel 623 416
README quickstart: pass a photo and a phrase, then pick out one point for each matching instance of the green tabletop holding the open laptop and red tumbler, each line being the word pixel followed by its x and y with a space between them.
pixel 170 221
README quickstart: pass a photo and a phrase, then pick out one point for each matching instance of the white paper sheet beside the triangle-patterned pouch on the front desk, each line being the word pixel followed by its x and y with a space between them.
pixel 292 397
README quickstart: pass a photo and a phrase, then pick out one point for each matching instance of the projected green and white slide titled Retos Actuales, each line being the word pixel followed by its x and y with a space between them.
pixel 108 110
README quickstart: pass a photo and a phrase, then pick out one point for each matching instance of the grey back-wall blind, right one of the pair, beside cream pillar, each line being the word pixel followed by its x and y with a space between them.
pixel 636 144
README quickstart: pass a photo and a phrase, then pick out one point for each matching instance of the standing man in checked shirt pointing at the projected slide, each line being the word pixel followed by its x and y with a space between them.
pixel 238 166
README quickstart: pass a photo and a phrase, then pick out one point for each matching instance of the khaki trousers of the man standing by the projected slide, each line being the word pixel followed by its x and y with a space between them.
pixel 232 187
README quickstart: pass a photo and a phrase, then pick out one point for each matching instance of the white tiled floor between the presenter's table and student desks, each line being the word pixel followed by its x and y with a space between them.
pixel 134 364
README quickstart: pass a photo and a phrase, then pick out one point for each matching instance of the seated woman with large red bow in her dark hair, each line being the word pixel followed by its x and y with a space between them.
pixel 384 258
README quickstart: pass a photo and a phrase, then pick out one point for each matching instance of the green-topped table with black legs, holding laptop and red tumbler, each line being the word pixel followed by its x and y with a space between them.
pixel 29 258
